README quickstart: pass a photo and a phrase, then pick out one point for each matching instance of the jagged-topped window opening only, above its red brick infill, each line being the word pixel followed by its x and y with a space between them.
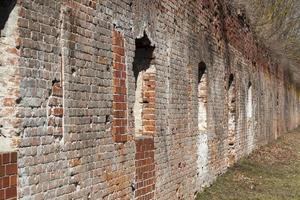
pixel 144 75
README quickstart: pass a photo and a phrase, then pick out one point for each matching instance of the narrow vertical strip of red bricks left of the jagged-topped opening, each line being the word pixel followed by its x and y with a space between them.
pixel 119 125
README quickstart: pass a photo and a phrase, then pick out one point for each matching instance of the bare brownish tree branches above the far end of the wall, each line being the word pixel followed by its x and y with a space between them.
pixel 277 24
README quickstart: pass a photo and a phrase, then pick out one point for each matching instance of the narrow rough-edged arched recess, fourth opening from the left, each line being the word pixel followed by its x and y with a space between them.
pixel 231 120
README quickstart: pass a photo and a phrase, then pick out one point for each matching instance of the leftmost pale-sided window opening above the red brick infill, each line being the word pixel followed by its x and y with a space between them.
pixel 10 127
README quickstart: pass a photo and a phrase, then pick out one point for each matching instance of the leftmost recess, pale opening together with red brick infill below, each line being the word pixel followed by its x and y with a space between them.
pixel 10 98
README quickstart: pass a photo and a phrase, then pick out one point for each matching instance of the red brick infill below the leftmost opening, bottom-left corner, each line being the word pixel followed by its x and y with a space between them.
pixel 8 176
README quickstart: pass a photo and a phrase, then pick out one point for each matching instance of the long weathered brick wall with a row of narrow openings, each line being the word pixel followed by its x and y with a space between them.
pixel 77 93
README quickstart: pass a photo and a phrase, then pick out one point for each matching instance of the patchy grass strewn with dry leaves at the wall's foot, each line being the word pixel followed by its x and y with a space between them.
pixel 270 173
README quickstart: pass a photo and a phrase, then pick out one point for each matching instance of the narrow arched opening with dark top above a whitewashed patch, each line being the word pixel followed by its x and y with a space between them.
pixel 202 96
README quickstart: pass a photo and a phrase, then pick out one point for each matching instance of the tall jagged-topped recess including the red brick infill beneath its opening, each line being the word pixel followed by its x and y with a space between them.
pixel 144 117
